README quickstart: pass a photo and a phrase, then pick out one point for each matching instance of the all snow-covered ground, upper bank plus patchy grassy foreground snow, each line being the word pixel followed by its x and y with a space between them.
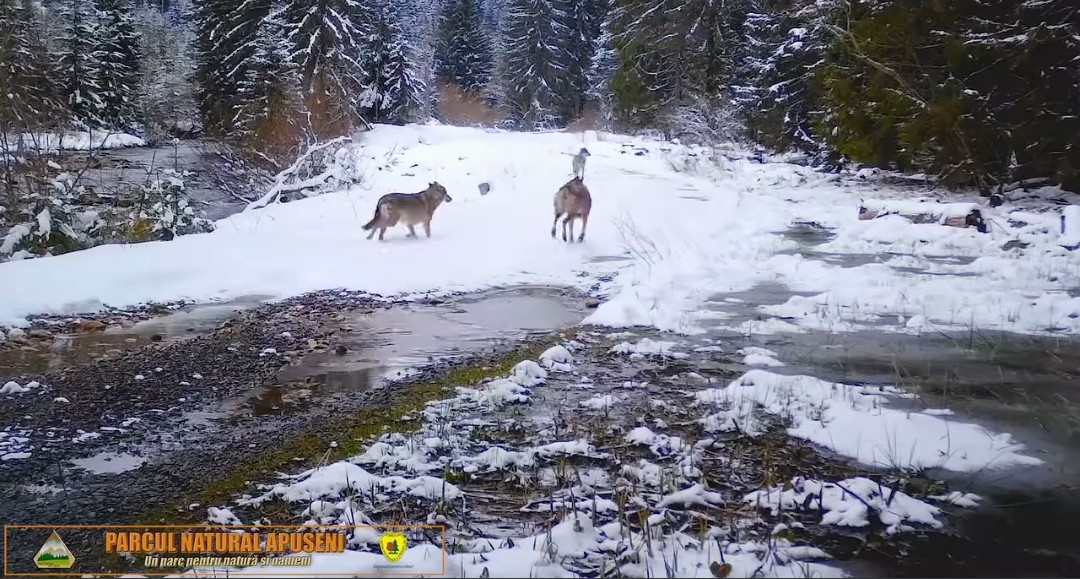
pixel 673 231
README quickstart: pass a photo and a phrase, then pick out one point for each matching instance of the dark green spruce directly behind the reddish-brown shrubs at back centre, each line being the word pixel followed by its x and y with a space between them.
pixel 464 50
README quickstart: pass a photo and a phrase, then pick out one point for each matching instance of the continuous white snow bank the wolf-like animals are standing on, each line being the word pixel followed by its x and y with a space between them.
pixel 688 228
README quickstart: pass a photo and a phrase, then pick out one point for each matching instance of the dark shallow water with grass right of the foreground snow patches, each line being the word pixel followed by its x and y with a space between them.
pixel 1022 385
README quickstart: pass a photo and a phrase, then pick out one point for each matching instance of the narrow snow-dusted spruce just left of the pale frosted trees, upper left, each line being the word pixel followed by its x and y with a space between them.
pixel 119 62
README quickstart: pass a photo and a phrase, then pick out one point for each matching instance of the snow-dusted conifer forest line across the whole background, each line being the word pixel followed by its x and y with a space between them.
pixel 977 92
